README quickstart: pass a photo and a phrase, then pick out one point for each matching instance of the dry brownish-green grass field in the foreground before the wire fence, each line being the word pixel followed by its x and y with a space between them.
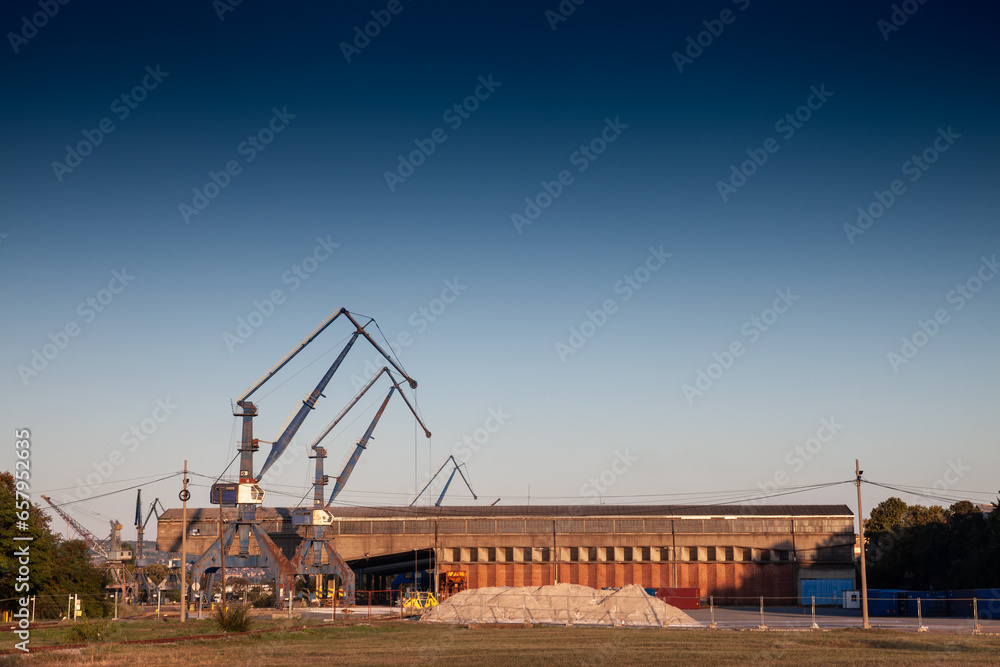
pixel 413 643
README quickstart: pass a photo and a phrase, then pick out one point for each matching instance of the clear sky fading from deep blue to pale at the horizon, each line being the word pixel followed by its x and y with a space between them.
pixel 622 132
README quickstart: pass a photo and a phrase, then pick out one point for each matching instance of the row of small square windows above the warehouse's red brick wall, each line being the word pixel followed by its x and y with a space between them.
pixel 611 554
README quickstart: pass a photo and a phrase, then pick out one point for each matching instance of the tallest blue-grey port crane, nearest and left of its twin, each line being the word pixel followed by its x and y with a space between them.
pixel 244 543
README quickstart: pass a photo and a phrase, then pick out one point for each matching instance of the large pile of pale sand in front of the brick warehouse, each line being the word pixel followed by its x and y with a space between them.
pixel 562 604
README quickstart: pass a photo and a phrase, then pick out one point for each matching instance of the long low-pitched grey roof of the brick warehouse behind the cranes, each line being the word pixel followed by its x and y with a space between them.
pixel 561 511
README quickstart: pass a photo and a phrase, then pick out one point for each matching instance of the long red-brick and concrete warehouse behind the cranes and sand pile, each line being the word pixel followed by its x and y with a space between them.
pixel 735 553
